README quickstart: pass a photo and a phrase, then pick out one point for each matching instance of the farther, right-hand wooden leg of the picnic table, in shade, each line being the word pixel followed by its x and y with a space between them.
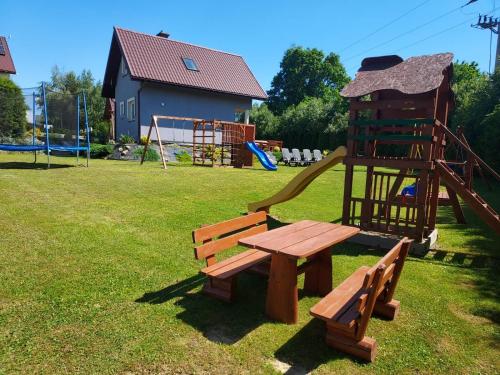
pixel 318 278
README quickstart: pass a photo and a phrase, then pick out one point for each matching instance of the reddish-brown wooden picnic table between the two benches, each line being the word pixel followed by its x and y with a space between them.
pixel 306 239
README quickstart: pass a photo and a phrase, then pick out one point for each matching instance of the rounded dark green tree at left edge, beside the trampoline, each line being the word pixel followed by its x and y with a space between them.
pixel 13 123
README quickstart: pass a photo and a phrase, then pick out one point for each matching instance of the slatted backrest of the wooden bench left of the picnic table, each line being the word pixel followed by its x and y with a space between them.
pixel 224 235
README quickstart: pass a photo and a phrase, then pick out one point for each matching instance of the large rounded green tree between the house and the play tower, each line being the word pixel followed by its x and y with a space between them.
pixel 306 72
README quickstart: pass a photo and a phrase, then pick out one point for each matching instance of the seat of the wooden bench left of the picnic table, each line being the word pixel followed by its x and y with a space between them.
pixel 236 264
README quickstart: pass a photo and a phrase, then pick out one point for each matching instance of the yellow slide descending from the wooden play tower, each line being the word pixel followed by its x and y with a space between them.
pixel 301 181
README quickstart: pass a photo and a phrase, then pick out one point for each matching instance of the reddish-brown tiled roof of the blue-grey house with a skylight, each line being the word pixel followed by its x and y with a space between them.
pixel 155 58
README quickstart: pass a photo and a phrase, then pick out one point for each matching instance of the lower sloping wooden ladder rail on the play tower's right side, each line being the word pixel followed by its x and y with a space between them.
pixel 474 200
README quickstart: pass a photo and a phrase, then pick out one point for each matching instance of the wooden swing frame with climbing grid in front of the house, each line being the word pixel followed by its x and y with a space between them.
pixel 215 142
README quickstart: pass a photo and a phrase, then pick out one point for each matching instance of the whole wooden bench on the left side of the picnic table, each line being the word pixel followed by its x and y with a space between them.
pixel 218 237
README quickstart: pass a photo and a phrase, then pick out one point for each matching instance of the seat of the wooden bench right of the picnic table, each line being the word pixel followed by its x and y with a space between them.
pixel 332 306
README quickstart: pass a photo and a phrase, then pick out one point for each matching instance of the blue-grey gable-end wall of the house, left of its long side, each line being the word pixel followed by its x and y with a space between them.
pixel 125 89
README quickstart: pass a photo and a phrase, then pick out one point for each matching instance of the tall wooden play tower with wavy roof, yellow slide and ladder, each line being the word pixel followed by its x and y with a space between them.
pixel 398 120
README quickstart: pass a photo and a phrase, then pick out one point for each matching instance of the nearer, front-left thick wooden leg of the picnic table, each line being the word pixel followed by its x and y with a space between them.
pixel 282 294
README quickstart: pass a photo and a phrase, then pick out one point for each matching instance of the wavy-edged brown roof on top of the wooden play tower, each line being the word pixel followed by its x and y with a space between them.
pixel 412 76
